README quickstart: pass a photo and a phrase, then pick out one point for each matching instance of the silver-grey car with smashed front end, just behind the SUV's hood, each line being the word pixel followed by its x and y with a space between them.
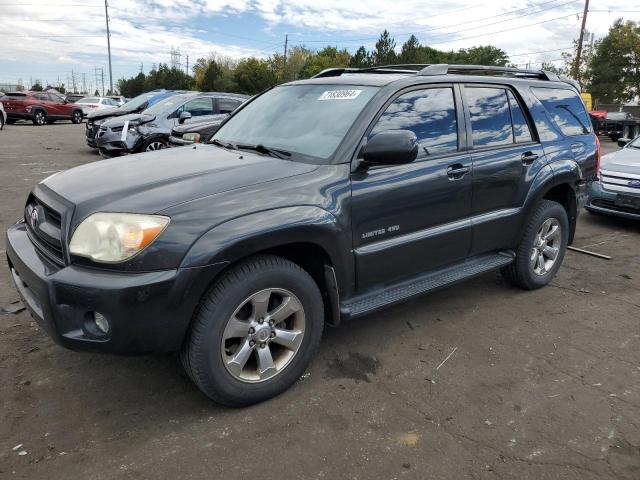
pixel 150 130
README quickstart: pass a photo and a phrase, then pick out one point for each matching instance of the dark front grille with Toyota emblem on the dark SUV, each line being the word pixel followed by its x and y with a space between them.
pixel 44 228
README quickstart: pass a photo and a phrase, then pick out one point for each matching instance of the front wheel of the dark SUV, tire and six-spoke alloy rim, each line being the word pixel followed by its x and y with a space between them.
pixel 255 332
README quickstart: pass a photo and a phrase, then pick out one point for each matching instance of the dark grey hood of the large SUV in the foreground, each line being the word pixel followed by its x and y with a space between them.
pixel 154 181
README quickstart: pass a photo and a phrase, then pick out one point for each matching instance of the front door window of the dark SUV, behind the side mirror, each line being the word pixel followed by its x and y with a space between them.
pixel 430 114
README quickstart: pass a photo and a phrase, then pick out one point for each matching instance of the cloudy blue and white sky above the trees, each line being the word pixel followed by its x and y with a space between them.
pixel 56 40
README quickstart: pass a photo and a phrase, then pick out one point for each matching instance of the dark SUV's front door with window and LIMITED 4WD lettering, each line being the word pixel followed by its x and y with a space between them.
pixel 412 218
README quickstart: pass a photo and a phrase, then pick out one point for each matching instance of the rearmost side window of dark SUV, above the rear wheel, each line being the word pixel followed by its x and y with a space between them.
pixel 566 110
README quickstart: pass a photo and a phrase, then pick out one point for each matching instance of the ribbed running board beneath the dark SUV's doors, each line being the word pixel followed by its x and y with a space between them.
pixel 427 282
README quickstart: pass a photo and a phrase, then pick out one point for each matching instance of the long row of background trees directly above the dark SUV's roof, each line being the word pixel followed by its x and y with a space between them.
pixel 253 75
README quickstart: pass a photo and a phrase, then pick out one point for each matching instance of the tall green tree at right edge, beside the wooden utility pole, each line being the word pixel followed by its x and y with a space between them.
pixel 615 66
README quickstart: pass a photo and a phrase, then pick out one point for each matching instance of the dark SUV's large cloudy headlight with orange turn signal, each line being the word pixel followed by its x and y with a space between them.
pixel 115 237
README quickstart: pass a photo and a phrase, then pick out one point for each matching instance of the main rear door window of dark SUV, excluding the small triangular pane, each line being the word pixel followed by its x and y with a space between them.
pixel 490 117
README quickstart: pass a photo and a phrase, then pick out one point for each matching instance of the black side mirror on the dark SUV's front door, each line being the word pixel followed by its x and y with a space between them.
pixel 391 147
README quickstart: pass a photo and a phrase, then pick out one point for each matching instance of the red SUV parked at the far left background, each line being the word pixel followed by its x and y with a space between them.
pixel 39 107
